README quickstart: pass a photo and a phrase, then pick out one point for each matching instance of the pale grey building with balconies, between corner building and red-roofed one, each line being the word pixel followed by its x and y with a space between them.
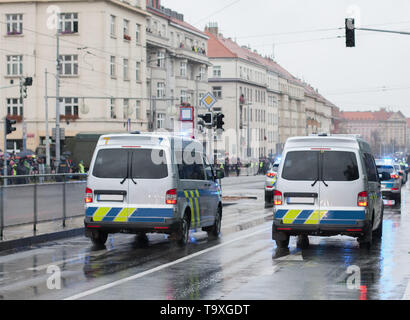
pixel 177 66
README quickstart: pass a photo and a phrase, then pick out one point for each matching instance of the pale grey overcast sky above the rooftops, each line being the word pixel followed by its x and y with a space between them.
pixel 372 75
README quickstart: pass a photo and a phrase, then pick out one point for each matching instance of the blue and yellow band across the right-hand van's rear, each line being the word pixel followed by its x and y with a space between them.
pixel 309 217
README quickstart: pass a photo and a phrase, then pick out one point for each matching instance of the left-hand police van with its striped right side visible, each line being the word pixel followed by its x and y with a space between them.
pixel 151 183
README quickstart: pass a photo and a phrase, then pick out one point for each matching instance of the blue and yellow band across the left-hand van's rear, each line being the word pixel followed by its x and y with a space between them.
pixel 109 214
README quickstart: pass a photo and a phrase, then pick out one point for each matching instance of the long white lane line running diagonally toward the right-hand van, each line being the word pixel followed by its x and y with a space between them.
pixel 161 267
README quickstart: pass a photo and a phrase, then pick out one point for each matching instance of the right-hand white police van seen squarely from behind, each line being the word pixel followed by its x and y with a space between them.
pixel 327 185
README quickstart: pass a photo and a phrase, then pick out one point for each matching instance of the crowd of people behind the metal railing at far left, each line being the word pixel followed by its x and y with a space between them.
pixel 18 167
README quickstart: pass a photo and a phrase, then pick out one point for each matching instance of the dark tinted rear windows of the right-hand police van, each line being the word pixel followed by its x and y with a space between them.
pixel 328 166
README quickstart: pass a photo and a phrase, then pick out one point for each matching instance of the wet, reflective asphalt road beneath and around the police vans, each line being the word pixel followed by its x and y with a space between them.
pixel 243 264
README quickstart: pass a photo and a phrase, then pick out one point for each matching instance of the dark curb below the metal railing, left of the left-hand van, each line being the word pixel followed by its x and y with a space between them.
pixel 29 241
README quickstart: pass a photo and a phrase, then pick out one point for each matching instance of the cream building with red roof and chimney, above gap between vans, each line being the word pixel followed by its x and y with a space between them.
pixel 247 90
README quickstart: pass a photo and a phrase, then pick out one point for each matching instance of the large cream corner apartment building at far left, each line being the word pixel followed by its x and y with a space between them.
pixel 102 59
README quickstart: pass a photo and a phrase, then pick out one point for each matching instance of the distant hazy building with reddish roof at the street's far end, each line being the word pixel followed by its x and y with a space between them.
pixel 384 130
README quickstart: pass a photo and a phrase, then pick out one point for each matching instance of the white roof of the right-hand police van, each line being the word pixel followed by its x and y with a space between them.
pixel 335 141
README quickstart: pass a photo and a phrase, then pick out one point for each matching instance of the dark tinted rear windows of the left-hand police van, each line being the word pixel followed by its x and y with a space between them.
pixel 115 164
